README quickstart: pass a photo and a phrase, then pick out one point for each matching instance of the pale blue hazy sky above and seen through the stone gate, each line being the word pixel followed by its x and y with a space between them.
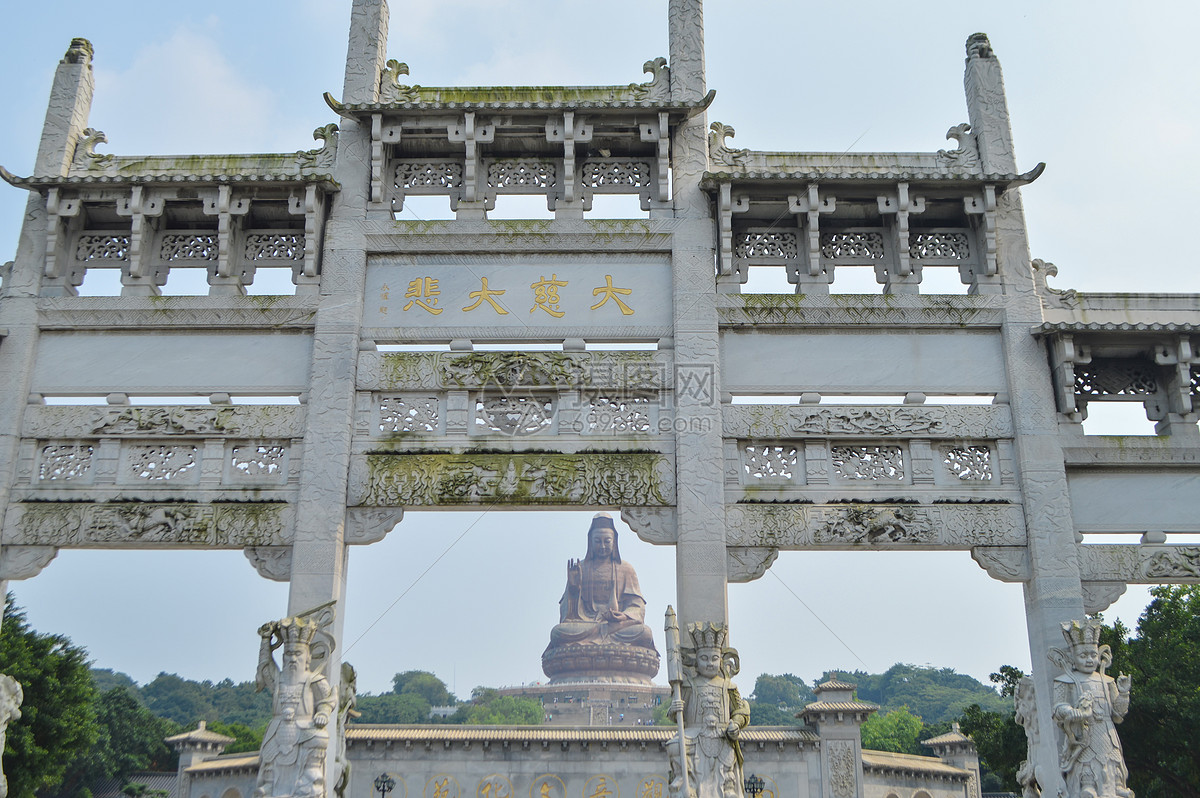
pixel 1105 94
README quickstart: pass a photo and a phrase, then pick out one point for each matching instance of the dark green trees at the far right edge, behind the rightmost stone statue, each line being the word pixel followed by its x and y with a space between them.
pixel 1160 734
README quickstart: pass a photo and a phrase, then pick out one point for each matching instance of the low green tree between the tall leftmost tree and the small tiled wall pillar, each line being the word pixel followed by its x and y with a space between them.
pixel 130 739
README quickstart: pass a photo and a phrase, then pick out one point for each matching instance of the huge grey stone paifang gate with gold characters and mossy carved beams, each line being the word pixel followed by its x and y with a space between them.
pixel 661 434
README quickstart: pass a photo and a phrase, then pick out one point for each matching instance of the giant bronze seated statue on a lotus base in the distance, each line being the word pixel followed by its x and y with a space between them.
pixel 602 632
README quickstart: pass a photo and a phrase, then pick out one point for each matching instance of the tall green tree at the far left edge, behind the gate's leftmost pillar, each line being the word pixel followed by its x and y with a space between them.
pixel 58 722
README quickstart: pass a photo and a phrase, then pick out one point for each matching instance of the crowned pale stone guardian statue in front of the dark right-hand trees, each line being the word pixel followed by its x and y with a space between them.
pixel 1088 705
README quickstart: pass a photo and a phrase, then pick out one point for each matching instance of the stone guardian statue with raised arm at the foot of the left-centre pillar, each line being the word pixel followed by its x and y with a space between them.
pixel 304 703
